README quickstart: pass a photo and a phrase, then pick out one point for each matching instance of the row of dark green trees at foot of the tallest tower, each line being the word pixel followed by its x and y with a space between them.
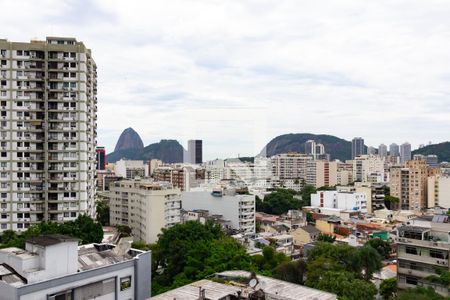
pixel 84 228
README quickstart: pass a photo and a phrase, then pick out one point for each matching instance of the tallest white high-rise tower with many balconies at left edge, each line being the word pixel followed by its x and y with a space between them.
pixel 48 131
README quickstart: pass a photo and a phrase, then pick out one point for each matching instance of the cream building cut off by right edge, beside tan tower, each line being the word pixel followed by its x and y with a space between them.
pixel 439 191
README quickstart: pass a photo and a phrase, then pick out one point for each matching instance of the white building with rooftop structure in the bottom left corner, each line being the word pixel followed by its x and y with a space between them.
pixel 55 267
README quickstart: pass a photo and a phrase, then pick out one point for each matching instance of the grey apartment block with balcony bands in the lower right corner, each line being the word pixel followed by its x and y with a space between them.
pixel 421 252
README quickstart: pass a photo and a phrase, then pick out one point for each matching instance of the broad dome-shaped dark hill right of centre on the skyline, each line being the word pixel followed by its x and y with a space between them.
pixel 295 142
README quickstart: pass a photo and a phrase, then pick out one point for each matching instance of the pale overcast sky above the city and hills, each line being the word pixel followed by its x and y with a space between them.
pixel 238 73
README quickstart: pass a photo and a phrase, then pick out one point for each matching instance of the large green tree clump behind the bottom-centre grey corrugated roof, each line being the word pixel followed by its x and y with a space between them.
pixel 192 251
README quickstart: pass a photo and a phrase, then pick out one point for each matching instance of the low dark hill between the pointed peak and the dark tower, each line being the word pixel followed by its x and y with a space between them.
pixel 169 151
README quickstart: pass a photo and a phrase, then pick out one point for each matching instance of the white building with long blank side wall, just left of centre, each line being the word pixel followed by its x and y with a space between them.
pixel 238 209
